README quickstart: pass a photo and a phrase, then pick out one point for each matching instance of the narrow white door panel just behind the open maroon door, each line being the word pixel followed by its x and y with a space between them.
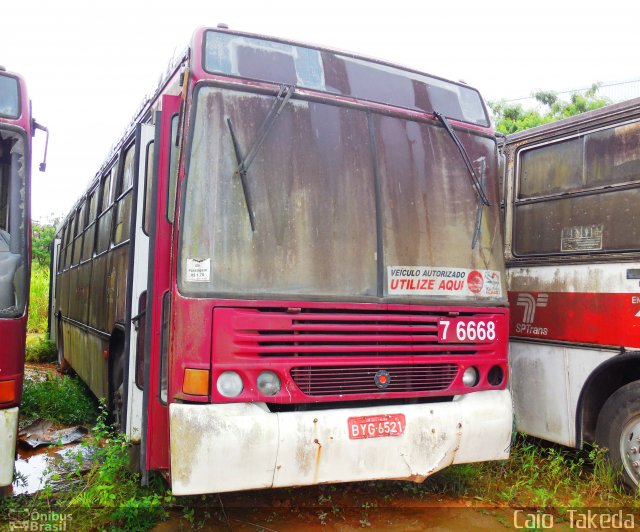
pixel 145 136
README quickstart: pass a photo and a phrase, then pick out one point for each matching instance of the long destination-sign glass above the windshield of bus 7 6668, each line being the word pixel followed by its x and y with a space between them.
pixel 323 70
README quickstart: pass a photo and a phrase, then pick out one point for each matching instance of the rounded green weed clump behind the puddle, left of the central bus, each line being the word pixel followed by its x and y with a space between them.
pixel 59 399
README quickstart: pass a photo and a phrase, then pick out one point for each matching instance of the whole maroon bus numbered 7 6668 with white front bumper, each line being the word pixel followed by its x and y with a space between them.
pixel 290 270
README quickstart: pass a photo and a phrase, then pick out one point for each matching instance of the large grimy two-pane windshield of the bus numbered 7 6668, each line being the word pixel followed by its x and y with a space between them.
pixel 339 196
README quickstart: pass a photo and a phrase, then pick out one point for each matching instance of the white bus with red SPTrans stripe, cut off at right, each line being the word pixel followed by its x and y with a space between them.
pixel 573 269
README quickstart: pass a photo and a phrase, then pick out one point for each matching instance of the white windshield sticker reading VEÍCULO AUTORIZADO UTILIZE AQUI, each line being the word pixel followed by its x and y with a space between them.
pixel 450 282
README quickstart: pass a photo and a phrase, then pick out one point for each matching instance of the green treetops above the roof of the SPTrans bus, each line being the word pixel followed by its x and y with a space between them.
pixel 511 118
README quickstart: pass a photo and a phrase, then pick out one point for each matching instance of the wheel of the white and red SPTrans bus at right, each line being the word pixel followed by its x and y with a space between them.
pixel 618 430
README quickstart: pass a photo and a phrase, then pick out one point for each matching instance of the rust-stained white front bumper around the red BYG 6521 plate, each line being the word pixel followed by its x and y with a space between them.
pixel 230 447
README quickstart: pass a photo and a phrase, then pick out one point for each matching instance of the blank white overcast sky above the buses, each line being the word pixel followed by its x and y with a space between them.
pixel 89 64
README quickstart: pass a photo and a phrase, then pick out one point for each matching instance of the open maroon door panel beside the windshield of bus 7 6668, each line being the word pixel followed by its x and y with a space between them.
pixel 155 425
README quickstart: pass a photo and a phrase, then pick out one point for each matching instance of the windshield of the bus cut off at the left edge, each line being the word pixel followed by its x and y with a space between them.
pixel 12 225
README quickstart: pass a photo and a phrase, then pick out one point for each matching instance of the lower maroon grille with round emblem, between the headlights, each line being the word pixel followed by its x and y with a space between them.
pixel 340 380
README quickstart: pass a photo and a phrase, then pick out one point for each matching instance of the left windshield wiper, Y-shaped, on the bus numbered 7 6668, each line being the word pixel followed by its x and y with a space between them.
pixel 285 92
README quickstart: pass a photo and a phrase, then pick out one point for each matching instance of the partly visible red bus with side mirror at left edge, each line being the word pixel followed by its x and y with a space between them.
pixel 16 130
